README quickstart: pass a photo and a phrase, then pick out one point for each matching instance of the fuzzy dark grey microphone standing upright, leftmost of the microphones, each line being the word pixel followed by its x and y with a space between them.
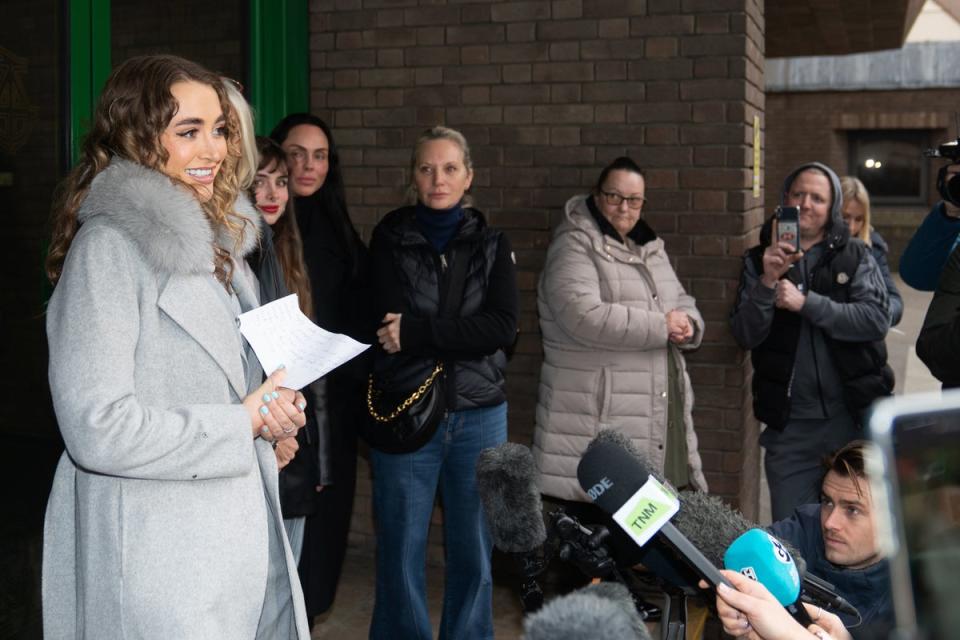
pixel 511 501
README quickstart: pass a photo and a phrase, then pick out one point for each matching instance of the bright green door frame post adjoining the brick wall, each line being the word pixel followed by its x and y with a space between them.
pixel 279 60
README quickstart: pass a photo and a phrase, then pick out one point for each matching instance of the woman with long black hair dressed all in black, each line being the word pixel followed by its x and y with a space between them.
pixel 336 260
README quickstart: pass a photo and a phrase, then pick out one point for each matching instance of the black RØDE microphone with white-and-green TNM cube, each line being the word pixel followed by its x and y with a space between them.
pixel 621 485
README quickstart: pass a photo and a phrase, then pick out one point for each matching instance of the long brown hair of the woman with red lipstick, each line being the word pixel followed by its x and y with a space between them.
pixel 286 231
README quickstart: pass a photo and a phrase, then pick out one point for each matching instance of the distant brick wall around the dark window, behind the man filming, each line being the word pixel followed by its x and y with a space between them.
pixel 813 126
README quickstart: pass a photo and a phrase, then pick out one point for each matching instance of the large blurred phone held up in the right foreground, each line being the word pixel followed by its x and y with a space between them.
pixel 915 483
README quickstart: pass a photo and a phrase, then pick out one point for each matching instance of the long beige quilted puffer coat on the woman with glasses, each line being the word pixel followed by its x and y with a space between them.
pixel 603 310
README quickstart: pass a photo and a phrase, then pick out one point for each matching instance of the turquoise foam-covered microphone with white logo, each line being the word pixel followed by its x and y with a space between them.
pixel 761 557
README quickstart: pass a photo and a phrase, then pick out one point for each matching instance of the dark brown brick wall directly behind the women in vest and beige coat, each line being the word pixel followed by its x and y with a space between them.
pixel 547 93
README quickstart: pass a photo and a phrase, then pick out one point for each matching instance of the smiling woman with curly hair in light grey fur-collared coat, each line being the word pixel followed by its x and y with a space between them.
pixel 163 520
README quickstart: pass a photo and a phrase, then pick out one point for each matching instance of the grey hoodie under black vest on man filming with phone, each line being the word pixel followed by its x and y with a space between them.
pixel 816 389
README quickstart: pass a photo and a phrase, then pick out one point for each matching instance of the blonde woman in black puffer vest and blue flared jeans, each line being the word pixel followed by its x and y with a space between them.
pixel 415 250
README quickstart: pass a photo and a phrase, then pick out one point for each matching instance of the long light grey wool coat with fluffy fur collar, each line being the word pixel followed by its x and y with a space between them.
pixel 157 523
